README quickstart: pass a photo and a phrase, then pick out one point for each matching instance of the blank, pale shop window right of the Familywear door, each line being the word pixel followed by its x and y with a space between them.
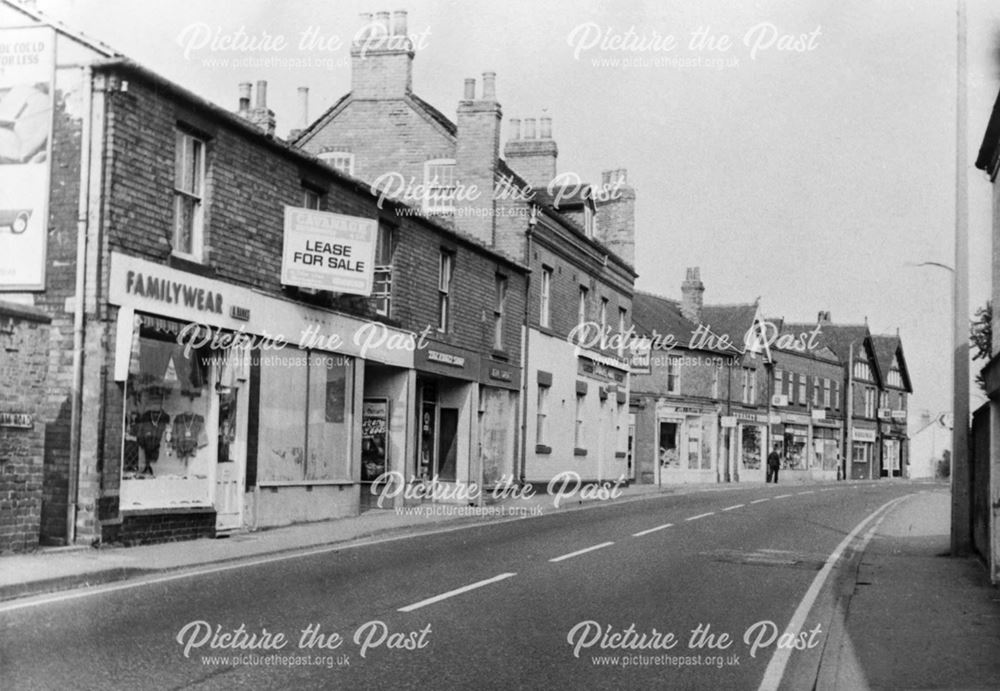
pixel 304 421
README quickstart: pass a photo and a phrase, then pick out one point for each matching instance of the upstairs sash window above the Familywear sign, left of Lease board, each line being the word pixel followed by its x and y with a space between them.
pixel 189 195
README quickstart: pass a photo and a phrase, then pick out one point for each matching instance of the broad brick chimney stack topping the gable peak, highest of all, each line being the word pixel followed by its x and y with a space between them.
pixel 382 57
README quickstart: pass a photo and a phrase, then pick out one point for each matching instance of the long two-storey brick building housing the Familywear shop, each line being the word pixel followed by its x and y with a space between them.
pixel 213 394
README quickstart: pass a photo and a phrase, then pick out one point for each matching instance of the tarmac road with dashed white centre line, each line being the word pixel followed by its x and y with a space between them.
pixel 675 591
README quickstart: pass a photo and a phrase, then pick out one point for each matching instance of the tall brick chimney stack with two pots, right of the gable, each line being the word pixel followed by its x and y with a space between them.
pixel 477 154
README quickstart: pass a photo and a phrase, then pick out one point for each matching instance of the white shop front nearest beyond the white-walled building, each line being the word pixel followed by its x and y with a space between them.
pixel 685 442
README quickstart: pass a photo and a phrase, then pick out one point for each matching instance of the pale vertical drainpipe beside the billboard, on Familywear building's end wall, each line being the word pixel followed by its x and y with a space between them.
pixel 76 391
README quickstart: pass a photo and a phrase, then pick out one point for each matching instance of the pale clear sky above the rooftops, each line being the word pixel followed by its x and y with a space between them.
pixel 803 152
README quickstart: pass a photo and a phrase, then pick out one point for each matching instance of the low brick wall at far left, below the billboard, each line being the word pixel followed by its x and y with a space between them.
pixel 24 341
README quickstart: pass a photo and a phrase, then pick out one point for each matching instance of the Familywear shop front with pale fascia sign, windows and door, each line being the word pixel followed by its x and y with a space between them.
pixel 240 409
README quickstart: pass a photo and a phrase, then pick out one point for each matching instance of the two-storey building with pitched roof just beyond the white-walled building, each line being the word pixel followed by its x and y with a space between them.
pixel 699 401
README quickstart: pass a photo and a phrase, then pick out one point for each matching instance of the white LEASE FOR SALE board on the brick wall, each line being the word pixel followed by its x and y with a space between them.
pixel 326 251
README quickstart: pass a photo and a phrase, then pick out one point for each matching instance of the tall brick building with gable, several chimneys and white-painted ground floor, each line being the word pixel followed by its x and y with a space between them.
pixel 576 239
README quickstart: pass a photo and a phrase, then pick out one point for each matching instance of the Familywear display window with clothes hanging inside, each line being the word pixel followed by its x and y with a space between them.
pixel 167 457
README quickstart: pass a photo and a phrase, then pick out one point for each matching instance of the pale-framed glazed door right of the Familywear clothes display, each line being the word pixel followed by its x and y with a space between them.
pixel 231 461
